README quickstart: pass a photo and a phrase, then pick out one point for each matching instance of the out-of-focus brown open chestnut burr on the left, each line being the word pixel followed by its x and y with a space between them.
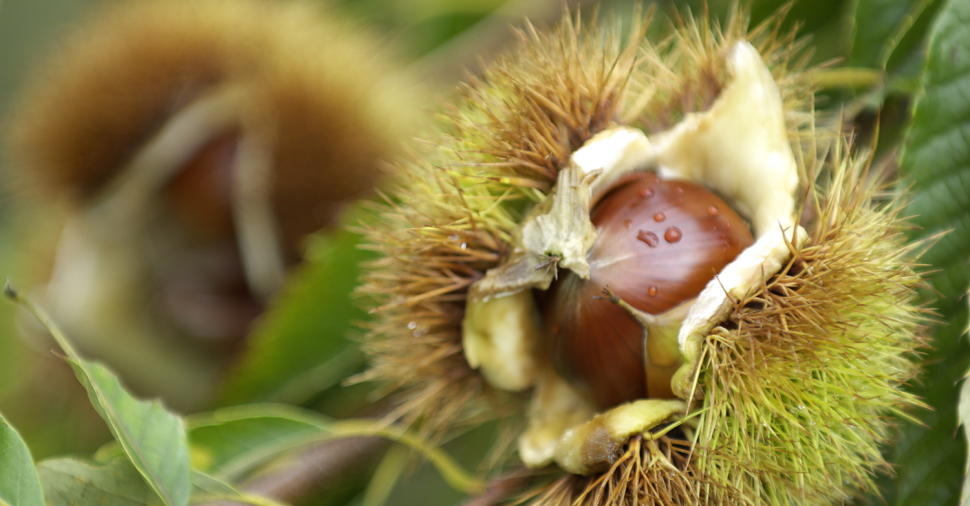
pixel 199 143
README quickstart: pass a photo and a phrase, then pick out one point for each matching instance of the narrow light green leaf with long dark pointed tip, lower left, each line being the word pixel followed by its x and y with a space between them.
pixel 152 437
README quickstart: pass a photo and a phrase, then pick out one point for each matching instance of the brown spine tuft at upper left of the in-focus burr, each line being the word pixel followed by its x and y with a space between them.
pixel 534 107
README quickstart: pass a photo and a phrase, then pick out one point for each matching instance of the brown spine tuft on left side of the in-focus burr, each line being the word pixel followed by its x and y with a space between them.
pixel 421 282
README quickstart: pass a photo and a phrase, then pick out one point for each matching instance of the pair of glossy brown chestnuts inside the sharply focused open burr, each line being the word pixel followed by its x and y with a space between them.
pixel 596 343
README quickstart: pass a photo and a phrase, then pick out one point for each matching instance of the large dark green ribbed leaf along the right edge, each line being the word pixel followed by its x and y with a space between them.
pixel 935 162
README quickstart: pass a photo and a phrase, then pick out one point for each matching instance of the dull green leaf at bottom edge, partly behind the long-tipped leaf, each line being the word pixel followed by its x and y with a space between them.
pixel 72 482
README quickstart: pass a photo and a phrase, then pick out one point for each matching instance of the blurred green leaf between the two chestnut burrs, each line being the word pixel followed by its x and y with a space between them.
pixel 302 346
